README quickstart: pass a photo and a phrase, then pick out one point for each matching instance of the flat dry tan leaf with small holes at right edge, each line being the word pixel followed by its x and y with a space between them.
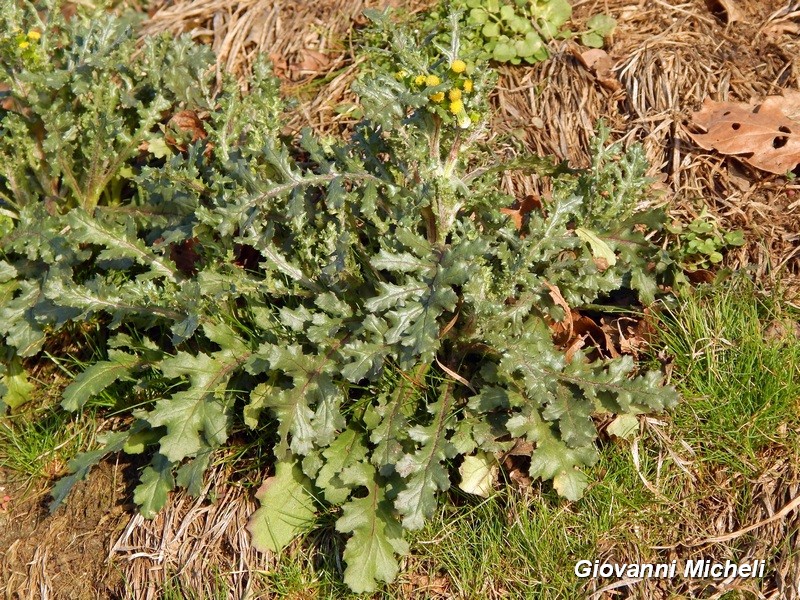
pixel 761 135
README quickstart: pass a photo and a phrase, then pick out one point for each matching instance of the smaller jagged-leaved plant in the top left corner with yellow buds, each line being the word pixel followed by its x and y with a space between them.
pixel 83 99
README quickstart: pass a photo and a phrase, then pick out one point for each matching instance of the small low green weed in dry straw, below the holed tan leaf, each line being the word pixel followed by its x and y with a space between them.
pixel 700 244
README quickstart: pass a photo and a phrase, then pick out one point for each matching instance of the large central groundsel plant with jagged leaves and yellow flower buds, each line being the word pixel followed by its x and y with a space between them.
pixel 364 303
